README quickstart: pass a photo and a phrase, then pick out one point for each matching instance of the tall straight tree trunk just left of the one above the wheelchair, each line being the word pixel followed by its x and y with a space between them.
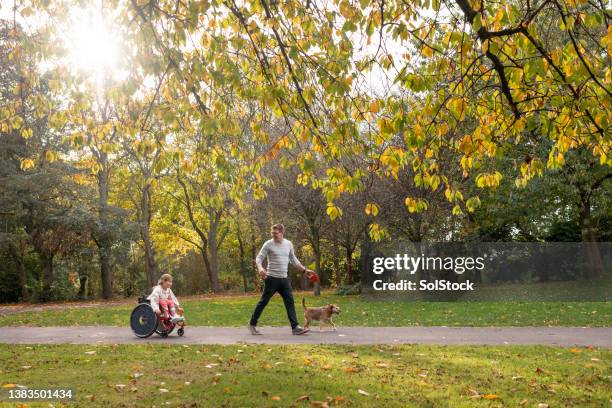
pixel 104 241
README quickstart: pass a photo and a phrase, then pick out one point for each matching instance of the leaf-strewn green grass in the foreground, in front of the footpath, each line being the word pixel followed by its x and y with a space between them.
pixel 261 375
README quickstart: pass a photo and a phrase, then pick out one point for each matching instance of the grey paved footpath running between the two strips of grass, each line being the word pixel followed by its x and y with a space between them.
pixel 553 336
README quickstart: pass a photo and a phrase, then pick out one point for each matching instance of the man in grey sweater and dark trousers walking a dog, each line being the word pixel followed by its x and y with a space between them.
pixel 279 253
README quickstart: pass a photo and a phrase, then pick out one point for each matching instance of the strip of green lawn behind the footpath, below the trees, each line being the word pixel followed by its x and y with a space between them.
pixel 356 311
